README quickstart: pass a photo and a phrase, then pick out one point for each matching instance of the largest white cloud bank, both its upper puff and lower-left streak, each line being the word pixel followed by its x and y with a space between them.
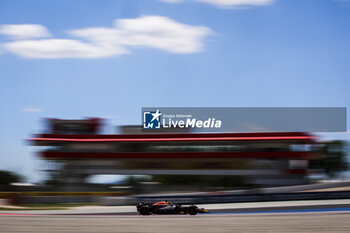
pixel 148 31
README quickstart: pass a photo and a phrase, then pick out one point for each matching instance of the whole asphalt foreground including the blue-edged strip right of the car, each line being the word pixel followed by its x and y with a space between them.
pixel 303 218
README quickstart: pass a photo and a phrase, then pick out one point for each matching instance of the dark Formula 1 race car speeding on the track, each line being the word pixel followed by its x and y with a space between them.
pixel 164 207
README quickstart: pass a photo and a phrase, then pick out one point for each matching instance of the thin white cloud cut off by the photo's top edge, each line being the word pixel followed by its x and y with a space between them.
pixel 228 3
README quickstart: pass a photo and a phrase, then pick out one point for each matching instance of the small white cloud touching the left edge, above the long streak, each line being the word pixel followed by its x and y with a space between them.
pixel 24 31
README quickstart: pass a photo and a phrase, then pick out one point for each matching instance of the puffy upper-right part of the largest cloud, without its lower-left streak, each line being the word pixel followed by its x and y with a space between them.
pixel 148 31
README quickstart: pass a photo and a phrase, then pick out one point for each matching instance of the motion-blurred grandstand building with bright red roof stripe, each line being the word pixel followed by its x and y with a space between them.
pixel 79 149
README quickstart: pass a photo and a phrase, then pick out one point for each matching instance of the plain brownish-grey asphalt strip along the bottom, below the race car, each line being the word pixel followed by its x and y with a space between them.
pixel 302 222
